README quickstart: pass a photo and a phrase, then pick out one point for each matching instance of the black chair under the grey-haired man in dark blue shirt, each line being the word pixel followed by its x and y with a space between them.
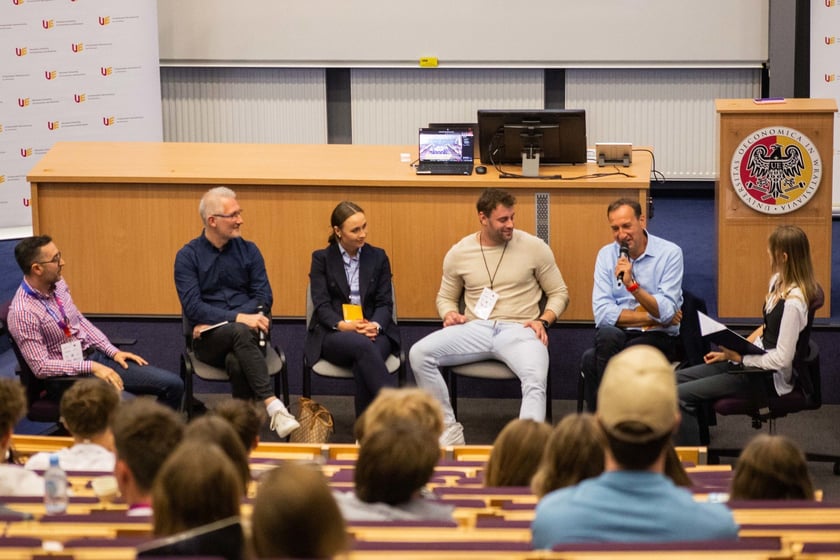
pixel 191 365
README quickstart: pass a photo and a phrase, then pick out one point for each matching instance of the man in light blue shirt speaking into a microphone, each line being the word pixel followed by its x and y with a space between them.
pixel 637 295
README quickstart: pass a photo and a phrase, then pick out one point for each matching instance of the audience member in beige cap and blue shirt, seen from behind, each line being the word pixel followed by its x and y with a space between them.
pixel 632 501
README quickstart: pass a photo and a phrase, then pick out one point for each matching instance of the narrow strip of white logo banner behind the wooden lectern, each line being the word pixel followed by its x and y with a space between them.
pixel 825 71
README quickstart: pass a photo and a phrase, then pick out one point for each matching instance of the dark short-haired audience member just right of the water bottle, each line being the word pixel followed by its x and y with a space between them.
pixel 145 434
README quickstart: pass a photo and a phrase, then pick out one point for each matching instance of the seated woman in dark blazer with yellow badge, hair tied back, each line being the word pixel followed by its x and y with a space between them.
pixel 349 271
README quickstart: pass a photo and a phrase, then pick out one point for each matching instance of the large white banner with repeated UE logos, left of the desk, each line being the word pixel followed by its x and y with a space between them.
pixel 71 70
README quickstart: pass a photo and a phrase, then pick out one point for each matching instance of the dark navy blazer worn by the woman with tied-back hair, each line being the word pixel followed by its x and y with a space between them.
pixel 329 287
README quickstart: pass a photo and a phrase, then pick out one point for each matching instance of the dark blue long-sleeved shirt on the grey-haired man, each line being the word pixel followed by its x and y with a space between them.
pixel 214 285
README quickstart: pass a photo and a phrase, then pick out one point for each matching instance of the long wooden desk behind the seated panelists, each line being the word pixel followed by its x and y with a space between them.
pixel 120 211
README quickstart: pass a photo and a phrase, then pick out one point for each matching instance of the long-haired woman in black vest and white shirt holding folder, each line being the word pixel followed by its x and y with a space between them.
pixel 793 289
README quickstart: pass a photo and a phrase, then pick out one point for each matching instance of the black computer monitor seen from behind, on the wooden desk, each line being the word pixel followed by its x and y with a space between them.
pixel 532 137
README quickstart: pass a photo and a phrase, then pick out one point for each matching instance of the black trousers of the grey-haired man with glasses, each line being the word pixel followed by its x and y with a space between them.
pixel 246 367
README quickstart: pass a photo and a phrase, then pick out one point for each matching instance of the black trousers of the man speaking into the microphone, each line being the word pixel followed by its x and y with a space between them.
pixel 609 341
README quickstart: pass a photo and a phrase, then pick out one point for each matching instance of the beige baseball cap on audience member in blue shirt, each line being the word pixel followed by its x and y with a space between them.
pixel 639 385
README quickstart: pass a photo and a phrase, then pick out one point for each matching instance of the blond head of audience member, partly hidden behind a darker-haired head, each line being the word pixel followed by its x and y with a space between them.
pixel 407 403
